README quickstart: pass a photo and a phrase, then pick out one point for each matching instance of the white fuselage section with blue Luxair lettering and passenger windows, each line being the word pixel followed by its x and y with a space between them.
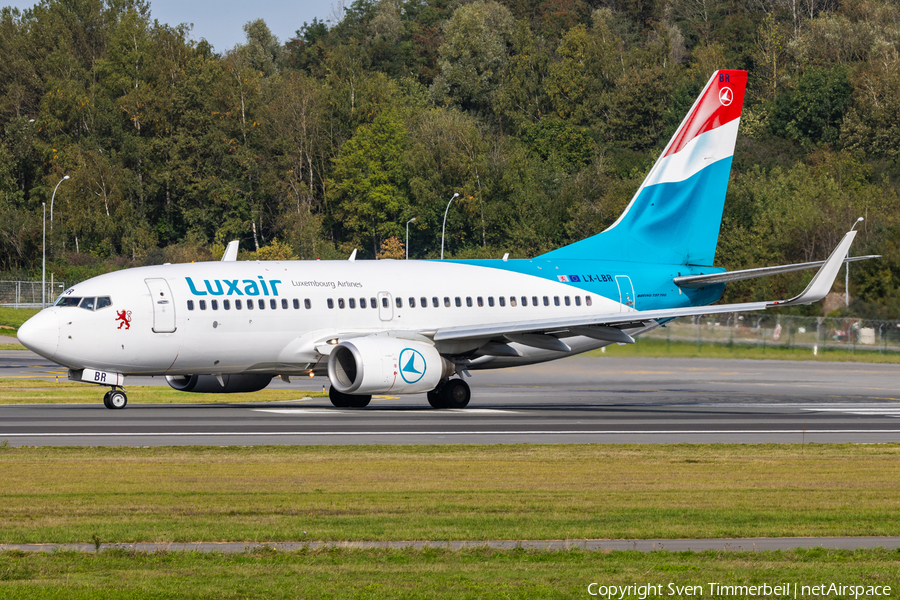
pixel 305 304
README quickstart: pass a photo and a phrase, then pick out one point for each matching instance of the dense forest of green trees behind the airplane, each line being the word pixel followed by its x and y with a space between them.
pixel 543 115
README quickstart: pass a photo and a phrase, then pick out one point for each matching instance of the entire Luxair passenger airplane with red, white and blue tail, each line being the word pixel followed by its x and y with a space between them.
pixel 410 327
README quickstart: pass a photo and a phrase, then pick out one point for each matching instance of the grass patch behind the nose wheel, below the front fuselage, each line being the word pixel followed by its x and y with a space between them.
pixel 32 391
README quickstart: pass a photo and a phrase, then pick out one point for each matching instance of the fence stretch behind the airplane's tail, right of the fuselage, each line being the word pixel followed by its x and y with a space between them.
pixel 818 334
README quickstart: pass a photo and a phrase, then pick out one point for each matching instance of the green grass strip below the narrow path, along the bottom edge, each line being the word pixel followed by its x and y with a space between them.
pixel 467 574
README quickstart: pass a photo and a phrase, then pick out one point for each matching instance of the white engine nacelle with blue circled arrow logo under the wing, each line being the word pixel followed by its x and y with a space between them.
pixel 378 365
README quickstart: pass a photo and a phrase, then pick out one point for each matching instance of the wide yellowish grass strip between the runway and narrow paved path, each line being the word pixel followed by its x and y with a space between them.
pixel 284 493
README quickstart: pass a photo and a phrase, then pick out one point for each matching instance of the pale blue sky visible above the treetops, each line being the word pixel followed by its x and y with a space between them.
pixel 221 22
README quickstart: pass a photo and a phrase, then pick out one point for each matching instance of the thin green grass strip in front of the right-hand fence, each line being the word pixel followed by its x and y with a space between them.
pixel 660 348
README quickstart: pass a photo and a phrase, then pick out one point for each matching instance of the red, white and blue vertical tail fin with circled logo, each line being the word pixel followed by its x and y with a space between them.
pixel 675 215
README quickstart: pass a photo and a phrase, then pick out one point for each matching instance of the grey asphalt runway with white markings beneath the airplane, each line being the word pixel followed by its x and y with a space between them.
pixel 577 400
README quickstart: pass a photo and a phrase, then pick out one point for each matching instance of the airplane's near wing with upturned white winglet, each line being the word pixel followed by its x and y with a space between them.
pixel 609 326
